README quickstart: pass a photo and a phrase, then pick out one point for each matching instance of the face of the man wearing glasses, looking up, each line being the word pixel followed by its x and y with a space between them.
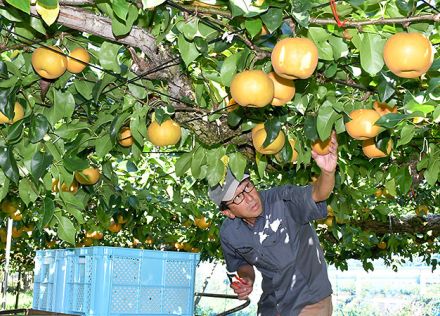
pixel 246 203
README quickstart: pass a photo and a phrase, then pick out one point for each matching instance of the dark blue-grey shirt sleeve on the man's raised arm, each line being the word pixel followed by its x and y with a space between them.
pixel 301 205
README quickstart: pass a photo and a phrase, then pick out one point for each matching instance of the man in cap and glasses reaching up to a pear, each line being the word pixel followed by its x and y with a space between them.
pixel 271 230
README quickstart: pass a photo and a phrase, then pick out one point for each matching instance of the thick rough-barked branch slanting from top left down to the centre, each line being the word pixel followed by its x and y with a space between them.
pixel 179 84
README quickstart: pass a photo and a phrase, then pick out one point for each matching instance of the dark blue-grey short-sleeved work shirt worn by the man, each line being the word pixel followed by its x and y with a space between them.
pixel 284 247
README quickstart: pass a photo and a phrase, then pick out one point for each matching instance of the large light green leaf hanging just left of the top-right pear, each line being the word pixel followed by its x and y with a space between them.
pixel 371 52
